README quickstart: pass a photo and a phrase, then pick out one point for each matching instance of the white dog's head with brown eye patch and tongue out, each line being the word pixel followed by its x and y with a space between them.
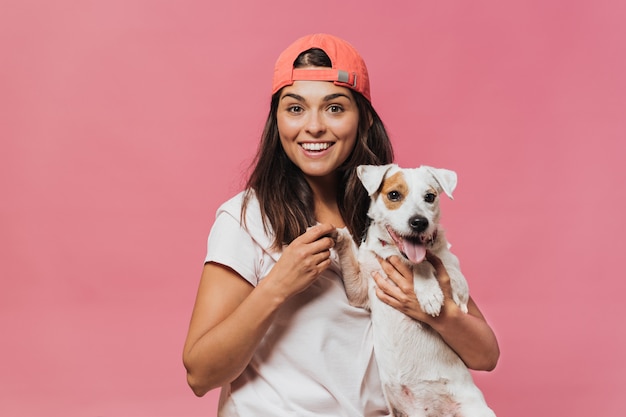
pixel 405 205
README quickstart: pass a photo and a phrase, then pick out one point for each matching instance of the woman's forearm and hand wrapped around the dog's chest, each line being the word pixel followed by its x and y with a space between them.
pixel 469 335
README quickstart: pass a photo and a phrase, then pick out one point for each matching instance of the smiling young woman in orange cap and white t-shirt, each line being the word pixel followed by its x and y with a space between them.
pixel 271 324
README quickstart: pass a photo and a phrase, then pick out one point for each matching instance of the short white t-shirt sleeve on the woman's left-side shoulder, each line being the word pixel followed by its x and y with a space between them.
pixel 231 245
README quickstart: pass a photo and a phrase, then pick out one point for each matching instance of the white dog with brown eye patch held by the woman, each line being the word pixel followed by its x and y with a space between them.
pixel 421 375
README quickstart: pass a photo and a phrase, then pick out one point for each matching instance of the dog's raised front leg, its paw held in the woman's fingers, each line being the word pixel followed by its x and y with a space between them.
pixel 353 280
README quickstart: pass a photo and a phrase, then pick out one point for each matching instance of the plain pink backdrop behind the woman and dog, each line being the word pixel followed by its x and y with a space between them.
pixel 125 123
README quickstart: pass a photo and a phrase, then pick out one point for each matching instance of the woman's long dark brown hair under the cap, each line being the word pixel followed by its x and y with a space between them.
pixel 285 197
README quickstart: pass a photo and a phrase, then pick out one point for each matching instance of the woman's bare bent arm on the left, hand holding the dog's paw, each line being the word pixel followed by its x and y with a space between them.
pixel 230 316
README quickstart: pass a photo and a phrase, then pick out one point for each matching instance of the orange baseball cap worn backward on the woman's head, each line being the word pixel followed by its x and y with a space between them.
pixel 348 68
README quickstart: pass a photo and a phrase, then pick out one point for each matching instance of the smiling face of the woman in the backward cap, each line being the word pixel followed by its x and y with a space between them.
pixel 318 123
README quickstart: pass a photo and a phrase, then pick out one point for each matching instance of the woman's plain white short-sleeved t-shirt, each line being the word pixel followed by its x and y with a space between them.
pixel 317 357
